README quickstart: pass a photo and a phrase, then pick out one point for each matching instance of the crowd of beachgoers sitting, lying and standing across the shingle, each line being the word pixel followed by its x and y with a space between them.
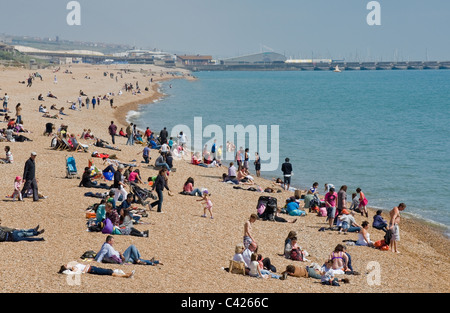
pixel 117 213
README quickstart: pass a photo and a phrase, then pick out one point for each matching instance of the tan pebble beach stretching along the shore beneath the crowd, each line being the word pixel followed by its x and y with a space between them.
pixel 192 249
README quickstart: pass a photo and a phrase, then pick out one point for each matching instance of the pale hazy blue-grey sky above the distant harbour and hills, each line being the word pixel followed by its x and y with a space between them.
pixel 410 29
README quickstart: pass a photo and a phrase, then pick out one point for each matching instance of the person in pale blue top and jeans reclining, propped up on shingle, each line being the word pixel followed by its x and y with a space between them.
pixel 108 254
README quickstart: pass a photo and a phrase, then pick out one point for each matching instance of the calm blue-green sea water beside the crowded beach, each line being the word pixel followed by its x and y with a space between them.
pixel 386 132
